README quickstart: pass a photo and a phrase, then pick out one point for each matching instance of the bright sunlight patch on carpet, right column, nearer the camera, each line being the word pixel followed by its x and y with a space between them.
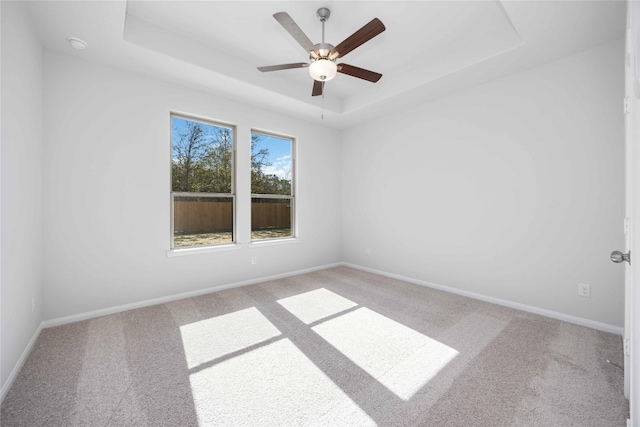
pixel 400 358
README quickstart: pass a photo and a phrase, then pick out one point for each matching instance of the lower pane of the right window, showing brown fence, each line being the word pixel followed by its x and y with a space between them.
pixel 270 218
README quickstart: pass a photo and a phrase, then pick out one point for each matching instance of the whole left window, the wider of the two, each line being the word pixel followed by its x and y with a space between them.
pixel 202 183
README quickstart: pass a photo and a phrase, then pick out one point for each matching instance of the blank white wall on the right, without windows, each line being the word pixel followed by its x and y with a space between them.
pixel 512 190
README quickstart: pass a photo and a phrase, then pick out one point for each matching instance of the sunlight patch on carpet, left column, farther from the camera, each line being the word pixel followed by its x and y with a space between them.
pixel 210 339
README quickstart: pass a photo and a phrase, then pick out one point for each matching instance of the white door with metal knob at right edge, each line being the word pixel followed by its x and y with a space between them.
pixel 632 222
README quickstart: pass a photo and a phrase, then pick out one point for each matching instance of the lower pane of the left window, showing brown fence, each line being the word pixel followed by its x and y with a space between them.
pixel 201 221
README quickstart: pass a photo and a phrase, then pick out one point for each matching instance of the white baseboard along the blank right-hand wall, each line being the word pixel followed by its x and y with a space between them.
pixel 618 330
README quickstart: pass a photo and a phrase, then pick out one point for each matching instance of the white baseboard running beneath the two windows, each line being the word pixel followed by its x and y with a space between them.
pixel 162 300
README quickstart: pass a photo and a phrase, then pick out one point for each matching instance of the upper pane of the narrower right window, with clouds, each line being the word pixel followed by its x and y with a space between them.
pixel 271 167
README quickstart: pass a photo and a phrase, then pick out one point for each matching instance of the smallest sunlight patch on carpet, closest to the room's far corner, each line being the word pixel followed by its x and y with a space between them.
pixel 315 305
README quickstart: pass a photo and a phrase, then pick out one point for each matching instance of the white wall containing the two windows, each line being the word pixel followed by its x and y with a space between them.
pixel 107 218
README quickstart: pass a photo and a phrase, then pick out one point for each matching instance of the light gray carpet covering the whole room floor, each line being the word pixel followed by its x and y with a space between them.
pixel 333 347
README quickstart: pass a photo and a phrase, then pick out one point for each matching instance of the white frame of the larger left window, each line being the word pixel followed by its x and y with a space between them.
pixel 173 194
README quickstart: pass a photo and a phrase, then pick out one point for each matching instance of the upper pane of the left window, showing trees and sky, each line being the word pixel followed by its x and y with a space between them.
pixel 201 157
